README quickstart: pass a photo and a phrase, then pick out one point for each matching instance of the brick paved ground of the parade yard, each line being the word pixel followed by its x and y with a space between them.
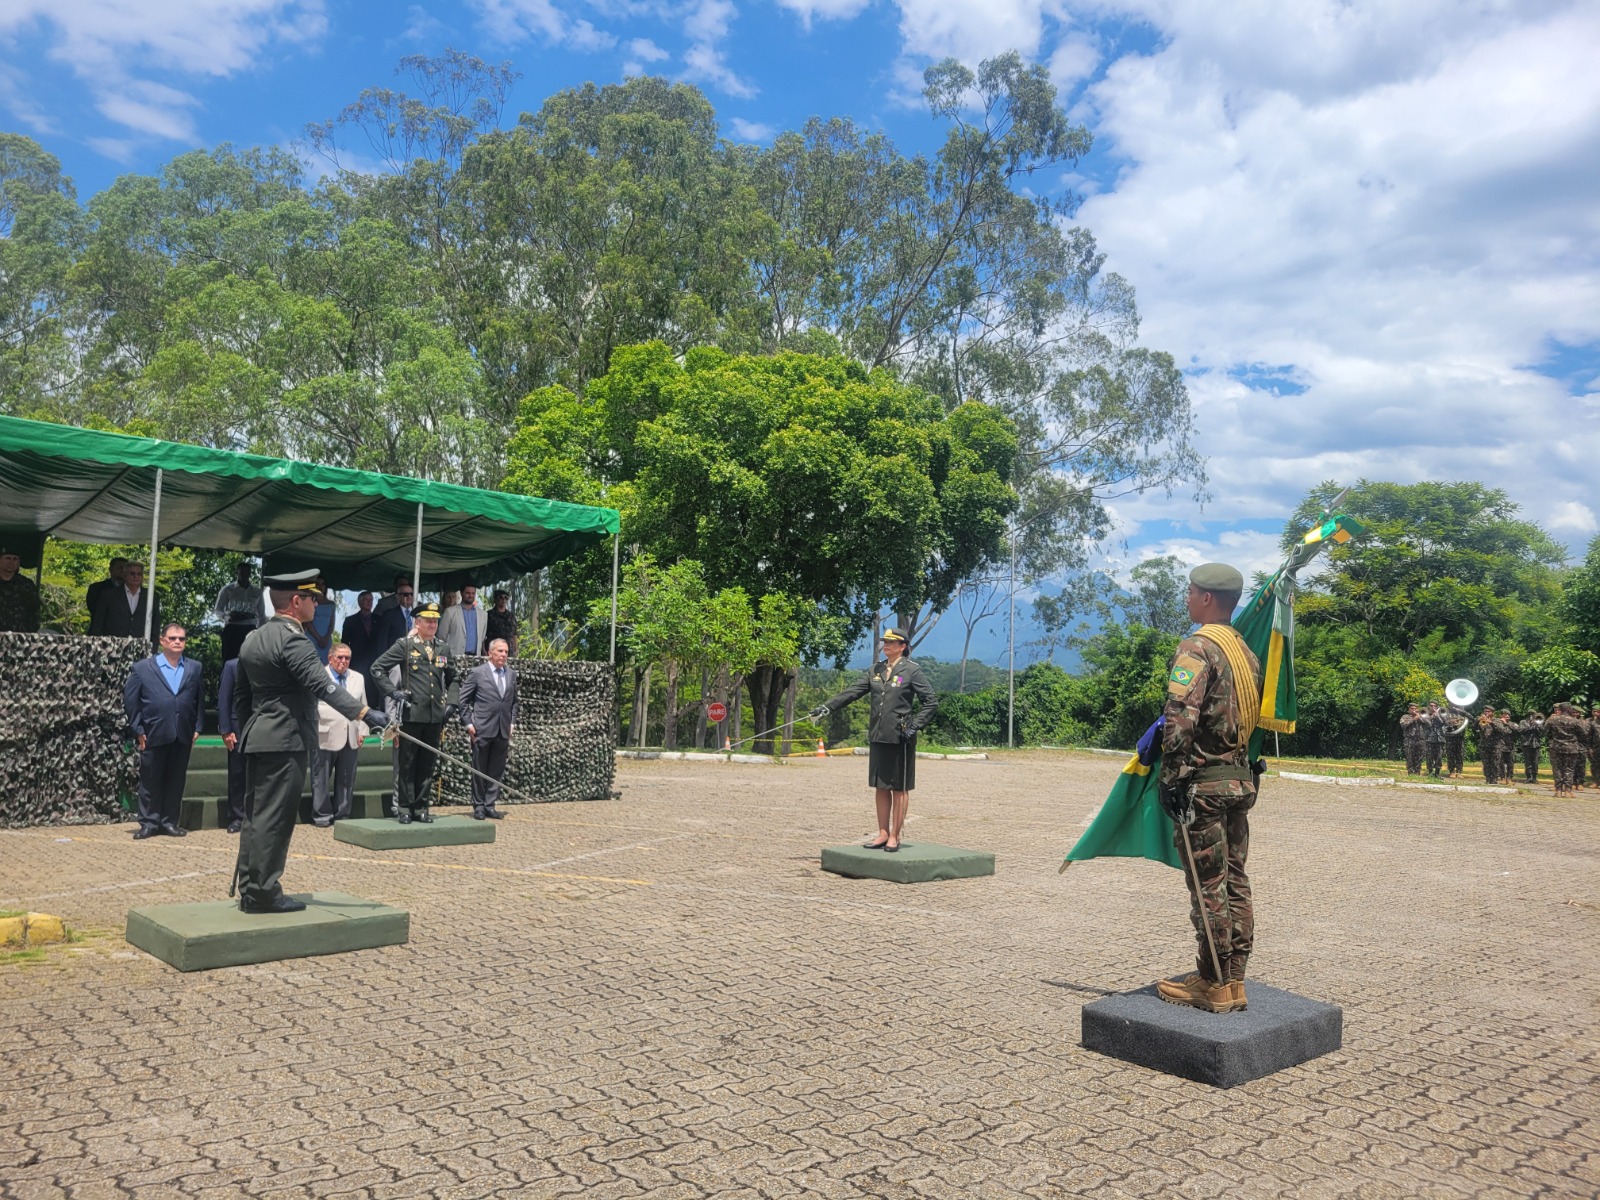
pixel 663 996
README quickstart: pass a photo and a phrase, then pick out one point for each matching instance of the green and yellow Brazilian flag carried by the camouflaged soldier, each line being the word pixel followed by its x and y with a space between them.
pixel 1132 823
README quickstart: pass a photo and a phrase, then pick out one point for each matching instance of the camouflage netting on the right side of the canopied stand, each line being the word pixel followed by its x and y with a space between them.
pixel 566 745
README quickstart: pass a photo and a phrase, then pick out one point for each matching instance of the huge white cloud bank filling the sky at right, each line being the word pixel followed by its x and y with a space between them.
pixel 1396 202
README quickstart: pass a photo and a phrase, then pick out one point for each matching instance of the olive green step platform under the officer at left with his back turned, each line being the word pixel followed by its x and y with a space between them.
pixel 217 934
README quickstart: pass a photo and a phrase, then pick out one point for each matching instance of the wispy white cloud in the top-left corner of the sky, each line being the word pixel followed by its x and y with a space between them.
pixel 113 46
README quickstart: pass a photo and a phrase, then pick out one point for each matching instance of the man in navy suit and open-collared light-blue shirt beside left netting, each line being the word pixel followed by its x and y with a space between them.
pixel 166 700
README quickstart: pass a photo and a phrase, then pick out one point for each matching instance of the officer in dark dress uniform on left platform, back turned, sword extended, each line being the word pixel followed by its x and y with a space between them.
pixel 276 694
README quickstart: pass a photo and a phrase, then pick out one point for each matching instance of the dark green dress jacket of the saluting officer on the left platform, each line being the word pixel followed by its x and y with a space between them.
pixel 278 687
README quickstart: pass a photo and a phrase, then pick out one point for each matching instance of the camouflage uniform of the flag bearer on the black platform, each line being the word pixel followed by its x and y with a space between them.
pixel 1202 748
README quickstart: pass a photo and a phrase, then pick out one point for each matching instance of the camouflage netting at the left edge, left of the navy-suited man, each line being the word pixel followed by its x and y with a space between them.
pixel 65 746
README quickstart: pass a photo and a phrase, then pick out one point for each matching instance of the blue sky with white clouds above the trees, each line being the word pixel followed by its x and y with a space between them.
pixel 1370 231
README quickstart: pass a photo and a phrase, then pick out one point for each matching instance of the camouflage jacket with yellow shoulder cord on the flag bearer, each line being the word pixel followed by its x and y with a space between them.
pixel 1204 732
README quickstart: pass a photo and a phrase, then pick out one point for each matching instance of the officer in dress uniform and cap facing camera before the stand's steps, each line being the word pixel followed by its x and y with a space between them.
pixel 426 678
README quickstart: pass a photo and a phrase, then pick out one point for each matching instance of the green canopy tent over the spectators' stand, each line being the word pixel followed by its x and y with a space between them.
pixel 358 527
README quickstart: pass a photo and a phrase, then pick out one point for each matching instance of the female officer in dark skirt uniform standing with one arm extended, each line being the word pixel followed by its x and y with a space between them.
pixel 892 730
